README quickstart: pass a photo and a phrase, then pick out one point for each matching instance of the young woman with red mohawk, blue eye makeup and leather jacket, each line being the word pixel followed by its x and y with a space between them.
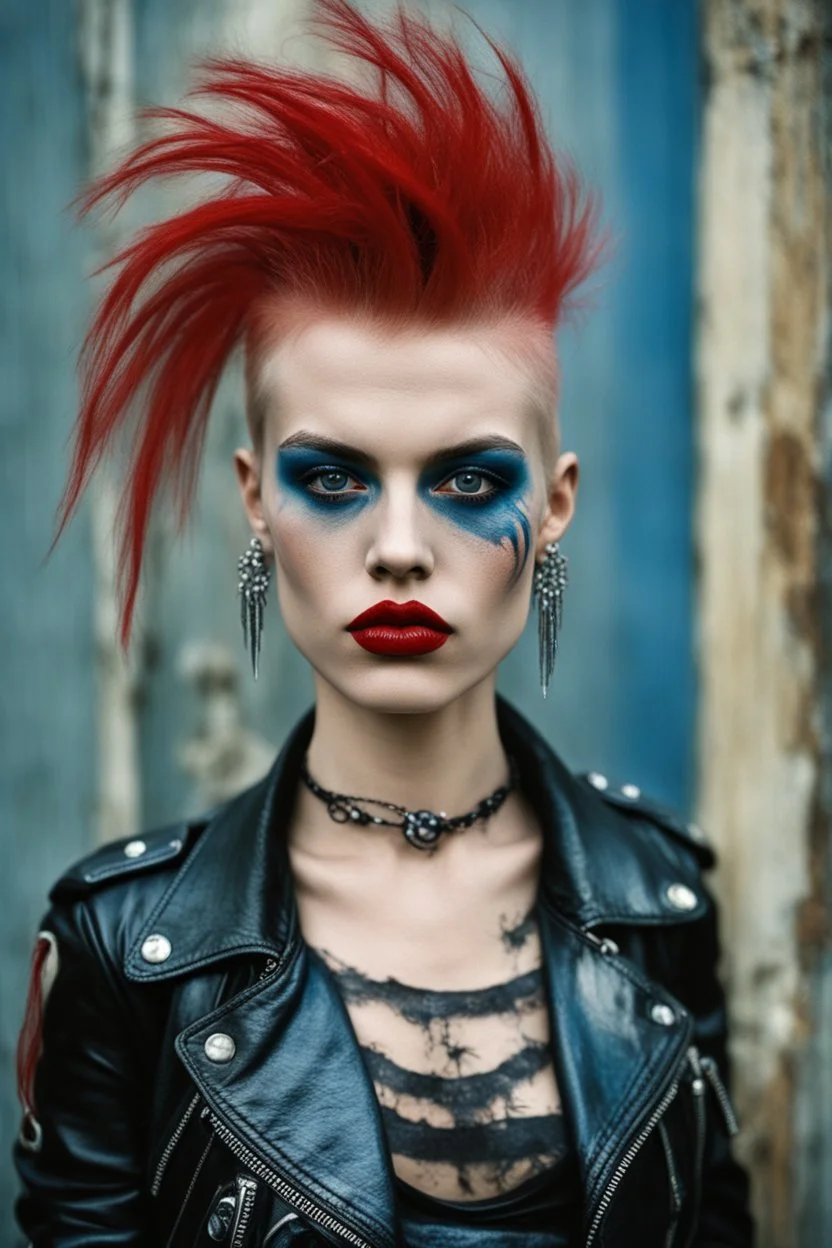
pixel 421 987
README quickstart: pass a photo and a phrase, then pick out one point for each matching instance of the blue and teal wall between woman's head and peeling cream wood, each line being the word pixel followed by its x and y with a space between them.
pixel 618 84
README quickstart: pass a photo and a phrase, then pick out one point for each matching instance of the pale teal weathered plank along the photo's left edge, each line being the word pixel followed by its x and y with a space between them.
pixel 47 728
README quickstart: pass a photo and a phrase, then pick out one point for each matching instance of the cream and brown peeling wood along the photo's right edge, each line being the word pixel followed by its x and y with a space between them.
pixel 764 551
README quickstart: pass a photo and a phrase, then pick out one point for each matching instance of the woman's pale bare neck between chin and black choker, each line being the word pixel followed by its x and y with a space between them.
pixel 446 759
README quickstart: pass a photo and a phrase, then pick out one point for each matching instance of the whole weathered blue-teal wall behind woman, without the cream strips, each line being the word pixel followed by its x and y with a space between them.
pixel 618 84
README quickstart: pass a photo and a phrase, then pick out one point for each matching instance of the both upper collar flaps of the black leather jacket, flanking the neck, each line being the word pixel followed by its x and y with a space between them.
pixel 599 867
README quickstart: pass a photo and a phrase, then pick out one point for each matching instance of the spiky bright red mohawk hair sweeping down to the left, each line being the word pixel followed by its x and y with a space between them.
pixel 420 200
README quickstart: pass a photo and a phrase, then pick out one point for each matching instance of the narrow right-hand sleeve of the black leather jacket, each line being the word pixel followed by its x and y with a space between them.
pixel 725 1220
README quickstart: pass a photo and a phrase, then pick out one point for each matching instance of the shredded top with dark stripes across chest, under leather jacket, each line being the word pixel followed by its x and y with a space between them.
pixel 470 1101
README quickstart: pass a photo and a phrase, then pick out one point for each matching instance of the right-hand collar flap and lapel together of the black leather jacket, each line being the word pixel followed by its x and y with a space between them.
pixel 614 1060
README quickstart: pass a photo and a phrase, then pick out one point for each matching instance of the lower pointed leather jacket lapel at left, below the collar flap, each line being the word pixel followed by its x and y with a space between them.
pixel 299 1096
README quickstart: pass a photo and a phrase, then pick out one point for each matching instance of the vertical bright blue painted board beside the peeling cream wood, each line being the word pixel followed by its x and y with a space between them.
pixel 657 112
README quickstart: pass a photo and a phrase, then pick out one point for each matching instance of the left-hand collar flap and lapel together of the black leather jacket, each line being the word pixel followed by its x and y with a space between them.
pixel 283 1095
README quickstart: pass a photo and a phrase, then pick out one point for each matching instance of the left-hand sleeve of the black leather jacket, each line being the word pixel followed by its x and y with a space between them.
pixel 83 1171
